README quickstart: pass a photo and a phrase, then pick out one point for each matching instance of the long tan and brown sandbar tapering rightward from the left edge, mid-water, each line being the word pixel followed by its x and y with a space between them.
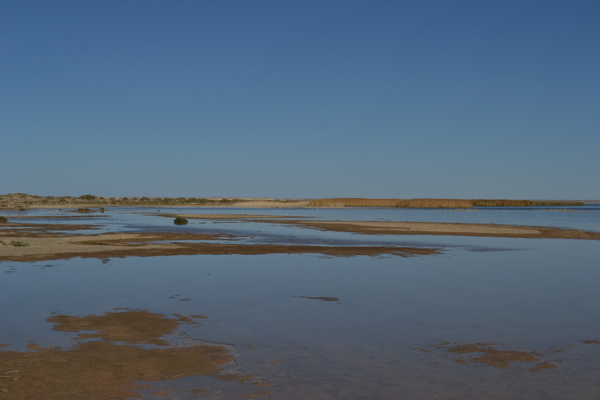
pixel 39 247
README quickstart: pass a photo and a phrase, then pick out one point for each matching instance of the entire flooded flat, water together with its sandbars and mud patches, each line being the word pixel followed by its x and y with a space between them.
pixel 286 304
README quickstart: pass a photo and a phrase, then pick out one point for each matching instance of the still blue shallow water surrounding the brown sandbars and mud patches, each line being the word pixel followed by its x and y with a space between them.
pixel 389 333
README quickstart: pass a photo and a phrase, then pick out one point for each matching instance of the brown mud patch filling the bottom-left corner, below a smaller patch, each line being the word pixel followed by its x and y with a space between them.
pixel 104 370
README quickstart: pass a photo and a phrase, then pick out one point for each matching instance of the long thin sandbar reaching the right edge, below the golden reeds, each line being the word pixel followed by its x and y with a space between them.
pixel 416 228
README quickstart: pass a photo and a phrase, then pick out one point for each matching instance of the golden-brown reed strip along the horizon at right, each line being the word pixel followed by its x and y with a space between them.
pixel 434 203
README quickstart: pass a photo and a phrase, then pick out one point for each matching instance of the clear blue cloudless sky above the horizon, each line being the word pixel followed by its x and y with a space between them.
pixel 275 98
